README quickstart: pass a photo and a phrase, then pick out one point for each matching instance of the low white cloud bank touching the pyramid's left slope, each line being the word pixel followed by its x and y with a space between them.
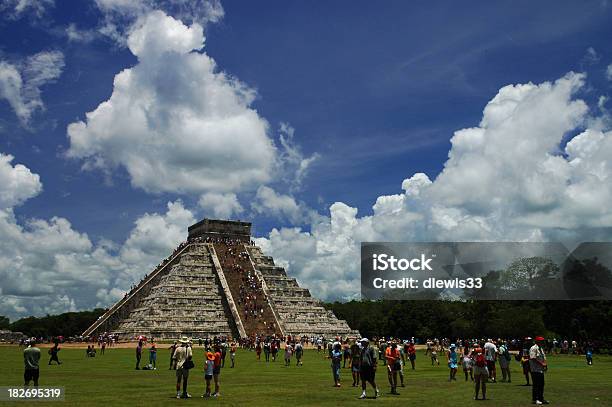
pixel 46 266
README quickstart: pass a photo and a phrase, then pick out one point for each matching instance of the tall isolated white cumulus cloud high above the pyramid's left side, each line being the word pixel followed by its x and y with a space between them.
pixel 173 121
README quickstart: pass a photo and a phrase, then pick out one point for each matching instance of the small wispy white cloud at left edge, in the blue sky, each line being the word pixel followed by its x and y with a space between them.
pixel 20 83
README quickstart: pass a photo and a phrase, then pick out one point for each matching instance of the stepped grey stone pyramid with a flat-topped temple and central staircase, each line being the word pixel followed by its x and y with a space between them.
pixel 218 283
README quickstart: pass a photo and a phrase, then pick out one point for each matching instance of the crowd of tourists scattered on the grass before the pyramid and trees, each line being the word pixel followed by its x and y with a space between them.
pixel 482 361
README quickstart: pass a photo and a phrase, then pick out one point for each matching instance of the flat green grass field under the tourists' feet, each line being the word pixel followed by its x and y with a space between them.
pixel 112 380
